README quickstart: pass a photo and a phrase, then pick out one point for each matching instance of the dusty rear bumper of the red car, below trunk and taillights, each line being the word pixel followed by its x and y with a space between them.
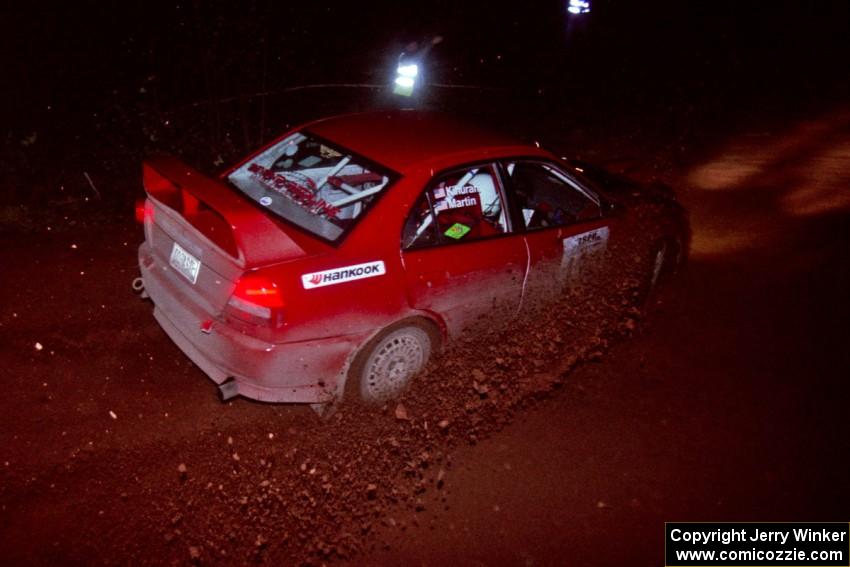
pixel 301 372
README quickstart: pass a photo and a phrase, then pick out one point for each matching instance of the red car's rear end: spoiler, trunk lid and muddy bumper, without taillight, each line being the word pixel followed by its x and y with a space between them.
pixel 228 237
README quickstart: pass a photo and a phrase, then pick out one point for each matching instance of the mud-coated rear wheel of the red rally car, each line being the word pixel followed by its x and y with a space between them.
pixel 386 366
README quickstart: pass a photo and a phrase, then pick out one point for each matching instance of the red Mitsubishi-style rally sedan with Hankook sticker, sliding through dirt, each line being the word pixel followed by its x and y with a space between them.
pixel 343 254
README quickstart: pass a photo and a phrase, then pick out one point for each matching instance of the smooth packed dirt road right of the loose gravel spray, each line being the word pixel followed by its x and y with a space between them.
pixel 730 404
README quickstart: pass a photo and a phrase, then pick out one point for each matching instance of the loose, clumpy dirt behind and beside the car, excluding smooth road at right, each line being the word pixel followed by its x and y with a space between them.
pixel 126 436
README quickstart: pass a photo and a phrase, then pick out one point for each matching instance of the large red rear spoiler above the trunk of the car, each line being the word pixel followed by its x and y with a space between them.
pixel 238 226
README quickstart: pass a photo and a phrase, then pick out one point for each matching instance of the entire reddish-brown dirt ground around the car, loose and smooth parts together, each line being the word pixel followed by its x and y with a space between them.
pixel 727 404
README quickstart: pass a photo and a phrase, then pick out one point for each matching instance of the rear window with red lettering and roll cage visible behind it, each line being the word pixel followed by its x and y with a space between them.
pixel 320 187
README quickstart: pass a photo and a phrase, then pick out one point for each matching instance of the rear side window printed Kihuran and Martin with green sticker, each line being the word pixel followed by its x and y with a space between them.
pixel 460 206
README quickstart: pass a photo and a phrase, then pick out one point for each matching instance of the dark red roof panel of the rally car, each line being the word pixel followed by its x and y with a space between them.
pixel 402 139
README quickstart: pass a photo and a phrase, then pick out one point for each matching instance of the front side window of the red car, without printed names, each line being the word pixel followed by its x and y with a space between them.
pixel 547 197
